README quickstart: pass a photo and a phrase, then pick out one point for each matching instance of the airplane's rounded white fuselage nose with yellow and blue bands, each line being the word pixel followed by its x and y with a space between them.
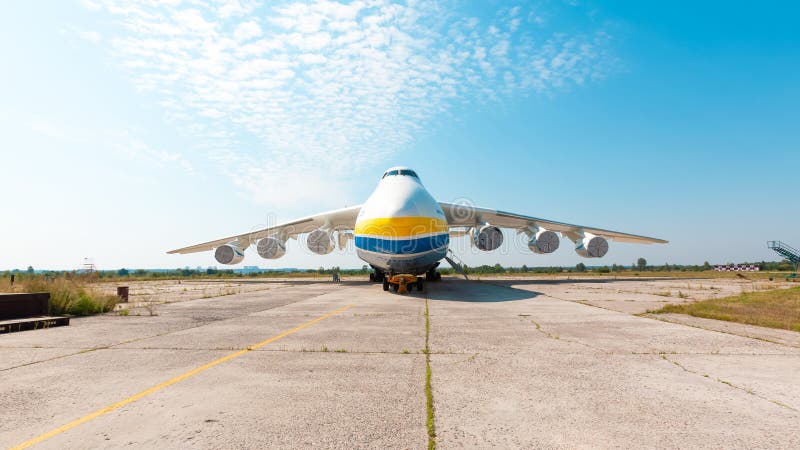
pixel 401 228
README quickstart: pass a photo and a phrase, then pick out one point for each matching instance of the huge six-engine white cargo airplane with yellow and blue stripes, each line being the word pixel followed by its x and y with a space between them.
pixel 402 232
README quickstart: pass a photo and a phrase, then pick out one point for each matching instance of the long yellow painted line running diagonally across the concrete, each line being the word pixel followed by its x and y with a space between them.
pixel 172 381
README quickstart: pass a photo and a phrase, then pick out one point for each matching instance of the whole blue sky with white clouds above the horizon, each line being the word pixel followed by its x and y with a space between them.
pixel 129 129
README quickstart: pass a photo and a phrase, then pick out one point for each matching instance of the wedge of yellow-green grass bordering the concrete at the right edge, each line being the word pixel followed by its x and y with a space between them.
pixel 778 308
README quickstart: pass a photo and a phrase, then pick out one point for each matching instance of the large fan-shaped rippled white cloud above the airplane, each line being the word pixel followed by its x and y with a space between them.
pixel 293 91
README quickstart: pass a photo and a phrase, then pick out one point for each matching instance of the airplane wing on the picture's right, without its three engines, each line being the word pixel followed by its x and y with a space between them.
pixel 464 215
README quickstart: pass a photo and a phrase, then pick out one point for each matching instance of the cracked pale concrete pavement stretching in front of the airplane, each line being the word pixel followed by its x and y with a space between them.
pixel 531 364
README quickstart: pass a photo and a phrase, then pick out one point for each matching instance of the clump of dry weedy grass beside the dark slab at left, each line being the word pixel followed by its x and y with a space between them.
pixel 69 296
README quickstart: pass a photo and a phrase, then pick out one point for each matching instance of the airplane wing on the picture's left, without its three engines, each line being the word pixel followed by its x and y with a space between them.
pixel 340 219
